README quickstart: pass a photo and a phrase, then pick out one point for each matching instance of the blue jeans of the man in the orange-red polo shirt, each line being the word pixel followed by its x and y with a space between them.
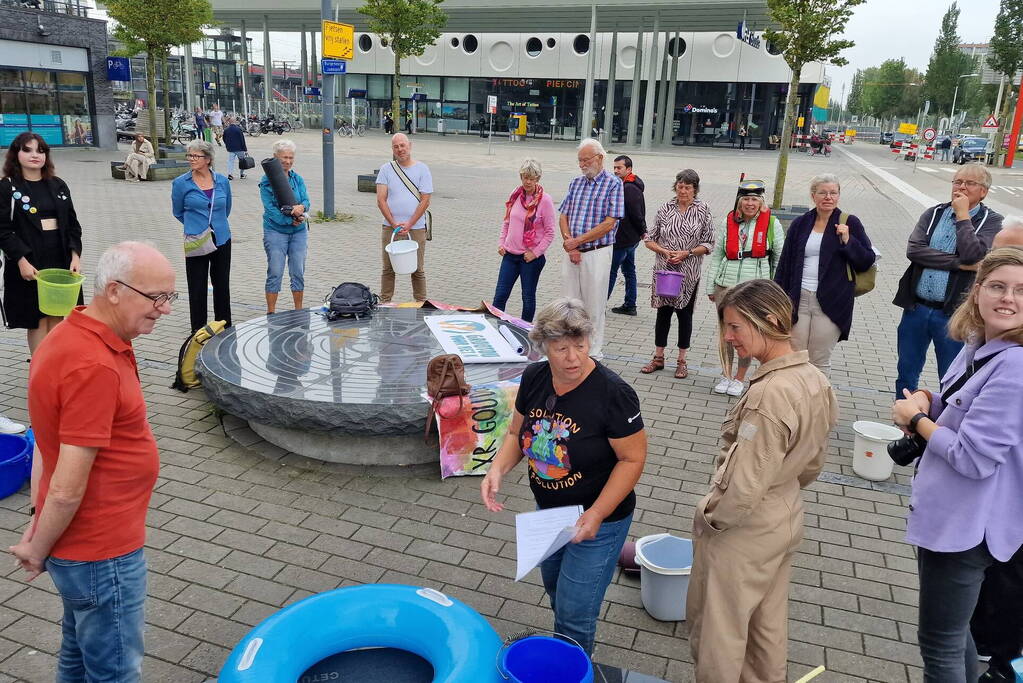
pixel 104 618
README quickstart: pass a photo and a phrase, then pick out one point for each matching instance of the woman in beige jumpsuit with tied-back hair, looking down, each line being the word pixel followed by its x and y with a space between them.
pixel 747 529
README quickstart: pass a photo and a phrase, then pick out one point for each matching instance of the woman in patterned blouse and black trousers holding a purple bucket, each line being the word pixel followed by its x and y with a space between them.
pixel 682 237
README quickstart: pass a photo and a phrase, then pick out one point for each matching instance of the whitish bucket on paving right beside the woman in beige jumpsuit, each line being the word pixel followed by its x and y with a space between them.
pixel 665 563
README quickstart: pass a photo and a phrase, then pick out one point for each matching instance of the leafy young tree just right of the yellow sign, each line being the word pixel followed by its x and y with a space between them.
pixel 411 27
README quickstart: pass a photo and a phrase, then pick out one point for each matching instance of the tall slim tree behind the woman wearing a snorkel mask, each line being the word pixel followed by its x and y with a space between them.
pixel 807 35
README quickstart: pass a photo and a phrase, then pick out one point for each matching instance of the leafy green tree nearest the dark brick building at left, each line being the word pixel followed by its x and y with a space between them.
pixel 154 28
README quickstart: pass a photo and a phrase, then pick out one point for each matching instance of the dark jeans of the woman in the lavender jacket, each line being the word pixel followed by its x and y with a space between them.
pixel 950 584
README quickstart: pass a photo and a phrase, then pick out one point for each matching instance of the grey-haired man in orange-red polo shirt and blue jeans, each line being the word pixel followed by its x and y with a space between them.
pixel 96 467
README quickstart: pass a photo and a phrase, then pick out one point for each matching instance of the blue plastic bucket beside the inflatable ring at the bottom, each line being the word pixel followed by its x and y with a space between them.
pixel 546 660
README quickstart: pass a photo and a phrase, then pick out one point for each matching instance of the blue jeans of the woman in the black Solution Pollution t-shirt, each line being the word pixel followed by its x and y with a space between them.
pixel 577 577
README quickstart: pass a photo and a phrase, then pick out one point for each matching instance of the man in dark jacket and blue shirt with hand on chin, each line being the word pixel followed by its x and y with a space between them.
pixel 945 249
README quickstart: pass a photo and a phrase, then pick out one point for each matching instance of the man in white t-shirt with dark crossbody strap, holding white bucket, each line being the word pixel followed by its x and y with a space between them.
pixel 404 191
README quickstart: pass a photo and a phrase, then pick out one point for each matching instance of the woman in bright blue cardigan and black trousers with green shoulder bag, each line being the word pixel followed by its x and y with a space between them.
pixel 201 200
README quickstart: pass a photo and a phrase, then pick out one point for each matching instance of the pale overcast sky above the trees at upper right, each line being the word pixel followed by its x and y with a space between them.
pixel 894 29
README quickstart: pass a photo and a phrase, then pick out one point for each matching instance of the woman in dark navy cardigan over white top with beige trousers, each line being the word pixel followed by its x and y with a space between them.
pixel 815 271
